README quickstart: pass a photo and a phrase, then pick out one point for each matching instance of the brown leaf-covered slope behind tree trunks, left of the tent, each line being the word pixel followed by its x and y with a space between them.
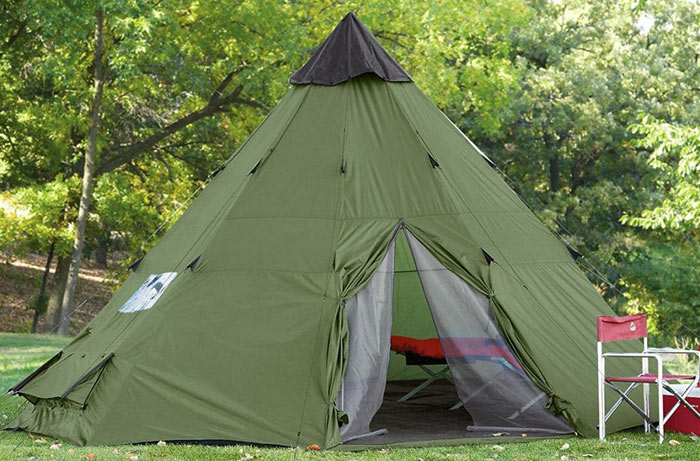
pixel 19 284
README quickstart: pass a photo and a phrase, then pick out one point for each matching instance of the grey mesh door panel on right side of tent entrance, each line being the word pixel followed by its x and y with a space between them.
pixel 490 383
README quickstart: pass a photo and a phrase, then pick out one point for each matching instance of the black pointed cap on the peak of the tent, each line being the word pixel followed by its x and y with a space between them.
pixel 350 50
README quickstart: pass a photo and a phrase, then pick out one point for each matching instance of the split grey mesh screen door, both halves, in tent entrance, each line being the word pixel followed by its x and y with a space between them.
pixel 489 381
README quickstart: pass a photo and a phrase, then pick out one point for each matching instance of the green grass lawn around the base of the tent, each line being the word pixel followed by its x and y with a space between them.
pixel 20 354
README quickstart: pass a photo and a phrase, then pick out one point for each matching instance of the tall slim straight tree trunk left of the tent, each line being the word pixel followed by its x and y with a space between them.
pixel 88 172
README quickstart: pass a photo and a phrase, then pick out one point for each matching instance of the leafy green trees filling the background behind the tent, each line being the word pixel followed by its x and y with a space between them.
pixel 589 109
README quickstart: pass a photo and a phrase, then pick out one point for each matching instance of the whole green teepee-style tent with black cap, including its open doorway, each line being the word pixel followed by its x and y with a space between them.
pixel 355 217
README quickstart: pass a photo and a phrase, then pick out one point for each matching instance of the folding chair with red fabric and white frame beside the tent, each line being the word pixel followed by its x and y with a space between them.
pixel 635 327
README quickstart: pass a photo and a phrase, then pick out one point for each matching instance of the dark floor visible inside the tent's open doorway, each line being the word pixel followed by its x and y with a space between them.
pixel 424 417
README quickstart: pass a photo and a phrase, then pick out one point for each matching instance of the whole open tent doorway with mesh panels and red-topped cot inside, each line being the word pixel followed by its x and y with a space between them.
pixel 426 360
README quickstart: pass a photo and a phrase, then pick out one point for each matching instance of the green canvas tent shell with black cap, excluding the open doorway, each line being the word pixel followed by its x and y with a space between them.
pixel 247 340
